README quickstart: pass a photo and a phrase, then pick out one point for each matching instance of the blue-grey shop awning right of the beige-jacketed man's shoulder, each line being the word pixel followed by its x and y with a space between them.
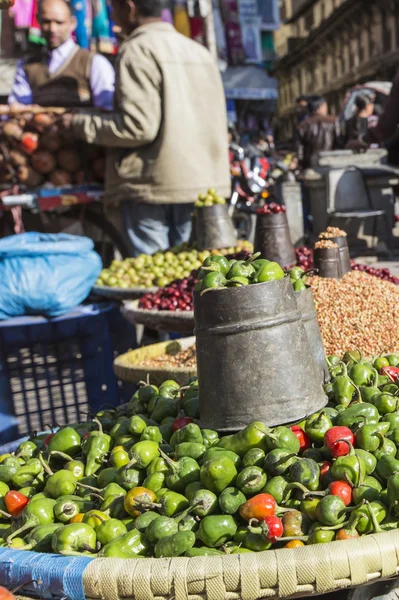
pixel 249 83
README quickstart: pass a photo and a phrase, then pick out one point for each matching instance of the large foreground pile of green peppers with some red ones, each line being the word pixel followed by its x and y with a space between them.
pixel 146 480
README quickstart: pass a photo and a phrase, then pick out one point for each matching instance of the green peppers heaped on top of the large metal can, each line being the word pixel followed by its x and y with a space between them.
pixel 217 272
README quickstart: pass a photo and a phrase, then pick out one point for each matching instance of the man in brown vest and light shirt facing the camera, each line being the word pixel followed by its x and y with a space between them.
pixel 63 74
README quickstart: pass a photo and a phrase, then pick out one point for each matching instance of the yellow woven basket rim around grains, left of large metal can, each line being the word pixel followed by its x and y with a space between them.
pixel 127 366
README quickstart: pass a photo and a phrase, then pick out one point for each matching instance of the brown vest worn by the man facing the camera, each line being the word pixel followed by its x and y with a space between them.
pixel 69 86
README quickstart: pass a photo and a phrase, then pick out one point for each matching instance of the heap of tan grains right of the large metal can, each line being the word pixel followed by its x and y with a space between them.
pixel 359 311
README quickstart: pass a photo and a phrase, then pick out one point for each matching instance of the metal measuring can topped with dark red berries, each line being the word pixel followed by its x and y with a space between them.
pixel 273 239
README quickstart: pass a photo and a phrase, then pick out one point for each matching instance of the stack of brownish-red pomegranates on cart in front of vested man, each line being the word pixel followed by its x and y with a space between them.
pixel 35 152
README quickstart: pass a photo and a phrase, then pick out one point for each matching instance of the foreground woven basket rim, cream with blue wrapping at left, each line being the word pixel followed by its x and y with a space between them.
pixel 272 574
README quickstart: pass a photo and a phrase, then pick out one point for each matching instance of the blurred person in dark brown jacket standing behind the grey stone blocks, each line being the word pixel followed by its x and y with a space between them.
pixel 319 133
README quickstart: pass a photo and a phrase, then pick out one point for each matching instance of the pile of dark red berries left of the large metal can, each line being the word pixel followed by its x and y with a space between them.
pixel 178 295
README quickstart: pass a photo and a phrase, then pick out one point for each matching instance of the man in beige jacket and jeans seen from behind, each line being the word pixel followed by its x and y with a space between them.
pixel 167 138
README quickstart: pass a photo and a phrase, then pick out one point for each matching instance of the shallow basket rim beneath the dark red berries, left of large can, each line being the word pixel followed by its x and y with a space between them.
pixel 160 320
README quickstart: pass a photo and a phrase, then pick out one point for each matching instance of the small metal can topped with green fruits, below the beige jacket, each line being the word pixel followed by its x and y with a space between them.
pixel 214 227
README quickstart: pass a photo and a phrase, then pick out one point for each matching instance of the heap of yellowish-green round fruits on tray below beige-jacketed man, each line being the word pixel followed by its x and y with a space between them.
pixel 160 269
